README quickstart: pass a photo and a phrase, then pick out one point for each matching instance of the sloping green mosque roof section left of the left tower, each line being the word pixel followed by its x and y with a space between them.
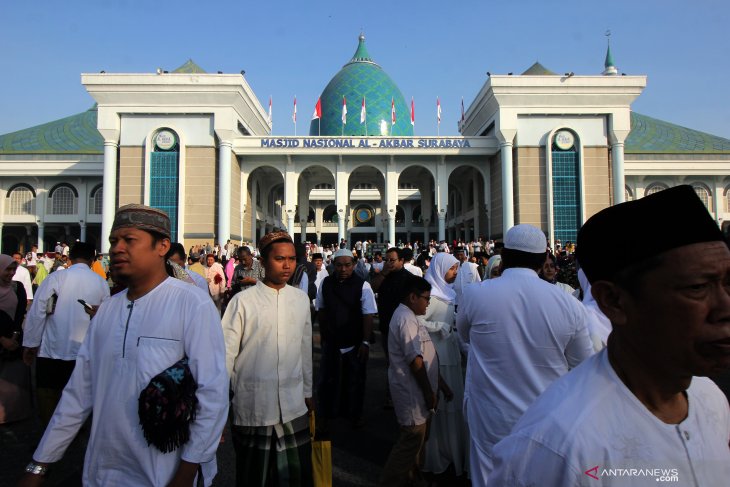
pixel 76 134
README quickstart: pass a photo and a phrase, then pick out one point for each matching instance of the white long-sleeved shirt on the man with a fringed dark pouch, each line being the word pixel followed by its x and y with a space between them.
pixel 128 343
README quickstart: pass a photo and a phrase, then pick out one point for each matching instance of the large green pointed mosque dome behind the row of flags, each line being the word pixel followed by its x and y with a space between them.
pixel 362 77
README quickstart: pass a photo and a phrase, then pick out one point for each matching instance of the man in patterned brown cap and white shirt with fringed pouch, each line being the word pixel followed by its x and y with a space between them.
pixel 136 335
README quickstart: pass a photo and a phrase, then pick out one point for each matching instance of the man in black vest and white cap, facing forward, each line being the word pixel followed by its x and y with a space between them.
pixel 346 305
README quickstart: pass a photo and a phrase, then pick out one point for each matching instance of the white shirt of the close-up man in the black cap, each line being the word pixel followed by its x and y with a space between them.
pixel 588 429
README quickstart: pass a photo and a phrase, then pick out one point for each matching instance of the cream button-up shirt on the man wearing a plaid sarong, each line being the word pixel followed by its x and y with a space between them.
pixel 268 336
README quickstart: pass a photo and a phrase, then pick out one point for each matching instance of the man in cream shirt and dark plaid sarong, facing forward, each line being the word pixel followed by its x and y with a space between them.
pixel 268 336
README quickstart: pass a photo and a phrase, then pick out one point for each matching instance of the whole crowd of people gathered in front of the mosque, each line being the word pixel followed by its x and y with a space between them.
pixel 509 363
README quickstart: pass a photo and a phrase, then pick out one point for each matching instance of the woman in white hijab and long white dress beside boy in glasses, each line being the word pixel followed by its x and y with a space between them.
pixel 448 437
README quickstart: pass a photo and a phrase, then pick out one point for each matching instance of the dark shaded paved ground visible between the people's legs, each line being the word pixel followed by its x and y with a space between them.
pixel 357 455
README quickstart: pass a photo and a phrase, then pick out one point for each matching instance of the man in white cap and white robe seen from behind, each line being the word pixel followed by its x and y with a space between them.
pixel 525 333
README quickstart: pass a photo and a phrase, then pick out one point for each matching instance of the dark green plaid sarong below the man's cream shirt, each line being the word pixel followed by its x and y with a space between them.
pixel 278 455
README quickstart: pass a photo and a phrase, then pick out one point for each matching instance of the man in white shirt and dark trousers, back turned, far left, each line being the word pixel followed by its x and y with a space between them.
pixel 60 334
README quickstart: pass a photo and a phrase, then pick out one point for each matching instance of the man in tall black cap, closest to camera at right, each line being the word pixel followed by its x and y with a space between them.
pixel 637 413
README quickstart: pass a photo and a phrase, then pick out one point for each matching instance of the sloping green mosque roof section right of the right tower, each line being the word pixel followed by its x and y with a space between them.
pixel 649 135
